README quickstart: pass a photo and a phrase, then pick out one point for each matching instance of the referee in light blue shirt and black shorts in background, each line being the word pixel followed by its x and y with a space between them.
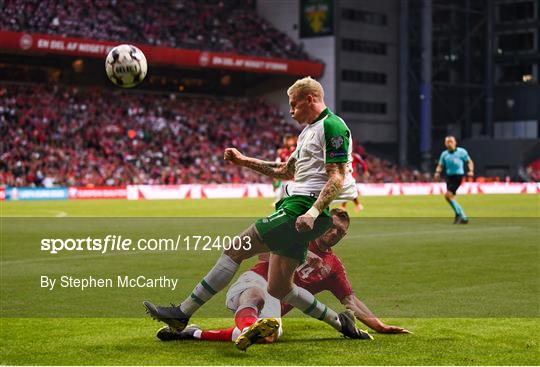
pixel 453 160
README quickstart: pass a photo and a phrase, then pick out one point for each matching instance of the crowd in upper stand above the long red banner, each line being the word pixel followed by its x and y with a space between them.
pixel 212 25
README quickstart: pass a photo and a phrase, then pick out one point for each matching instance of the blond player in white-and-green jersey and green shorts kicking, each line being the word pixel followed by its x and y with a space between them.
pixel 319 167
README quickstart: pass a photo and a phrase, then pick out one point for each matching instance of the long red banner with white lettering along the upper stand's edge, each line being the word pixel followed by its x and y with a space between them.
pixel 34 43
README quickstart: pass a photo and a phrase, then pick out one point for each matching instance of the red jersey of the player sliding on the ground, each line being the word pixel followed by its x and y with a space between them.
pixel 330 277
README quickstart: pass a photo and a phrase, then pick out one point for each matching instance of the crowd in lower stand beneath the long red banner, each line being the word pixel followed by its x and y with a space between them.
pixel 59 135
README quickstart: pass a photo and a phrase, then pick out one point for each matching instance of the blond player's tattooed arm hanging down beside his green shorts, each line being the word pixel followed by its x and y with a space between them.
pixel 332 188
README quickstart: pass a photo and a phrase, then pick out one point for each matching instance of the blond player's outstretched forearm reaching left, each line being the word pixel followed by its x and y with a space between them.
pixel 280 170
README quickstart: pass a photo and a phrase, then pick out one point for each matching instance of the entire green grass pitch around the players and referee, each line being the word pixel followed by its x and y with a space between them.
pixel 470 293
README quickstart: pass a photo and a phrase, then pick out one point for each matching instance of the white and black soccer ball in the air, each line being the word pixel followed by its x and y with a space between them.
pixel 126 66
